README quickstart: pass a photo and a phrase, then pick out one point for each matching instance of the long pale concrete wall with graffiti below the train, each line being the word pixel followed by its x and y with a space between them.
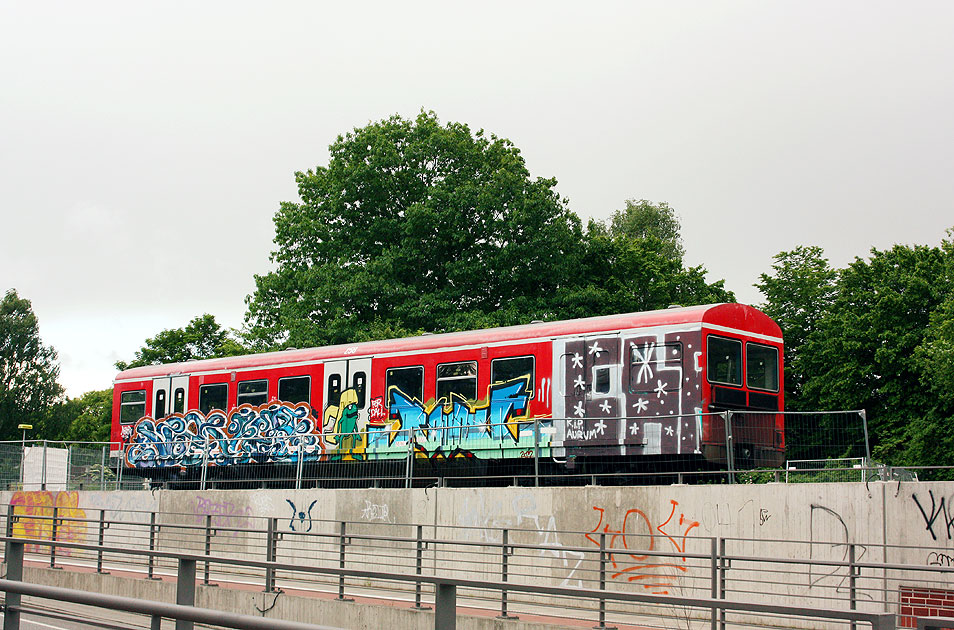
pixel 807 521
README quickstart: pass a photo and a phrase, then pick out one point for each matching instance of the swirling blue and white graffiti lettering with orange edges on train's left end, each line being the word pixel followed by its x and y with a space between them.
pixel 270 433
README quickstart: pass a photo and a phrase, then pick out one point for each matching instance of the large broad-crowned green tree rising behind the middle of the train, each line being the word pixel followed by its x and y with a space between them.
pixel 414 225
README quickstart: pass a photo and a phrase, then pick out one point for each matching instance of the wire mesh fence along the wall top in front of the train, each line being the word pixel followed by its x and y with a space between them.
pixel 729 447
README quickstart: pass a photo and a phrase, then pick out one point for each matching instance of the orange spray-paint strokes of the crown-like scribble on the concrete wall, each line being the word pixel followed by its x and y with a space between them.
pixel 642 571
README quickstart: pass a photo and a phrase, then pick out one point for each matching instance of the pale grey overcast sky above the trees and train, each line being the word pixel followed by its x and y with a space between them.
pixel 145 146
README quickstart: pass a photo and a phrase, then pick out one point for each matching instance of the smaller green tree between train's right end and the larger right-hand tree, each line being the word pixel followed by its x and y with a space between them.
pixel 798 292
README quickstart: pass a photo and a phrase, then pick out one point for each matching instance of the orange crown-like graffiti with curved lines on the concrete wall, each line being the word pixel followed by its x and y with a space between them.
pixel 657 574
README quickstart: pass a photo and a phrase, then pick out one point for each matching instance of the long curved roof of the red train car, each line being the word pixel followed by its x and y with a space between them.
pixel 728 316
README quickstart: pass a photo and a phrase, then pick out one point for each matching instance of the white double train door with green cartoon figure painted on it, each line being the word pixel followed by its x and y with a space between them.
pixel 347 389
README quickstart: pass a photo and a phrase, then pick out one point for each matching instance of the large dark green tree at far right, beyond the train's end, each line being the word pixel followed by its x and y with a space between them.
pixel 862 353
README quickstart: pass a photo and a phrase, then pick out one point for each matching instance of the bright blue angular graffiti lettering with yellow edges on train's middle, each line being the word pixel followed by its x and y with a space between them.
pixel 457 419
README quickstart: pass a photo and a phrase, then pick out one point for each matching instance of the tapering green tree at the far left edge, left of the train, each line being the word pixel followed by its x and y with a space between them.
pixel 28 369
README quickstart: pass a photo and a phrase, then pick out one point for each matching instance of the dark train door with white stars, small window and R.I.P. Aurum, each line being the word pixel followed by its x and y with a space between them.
pixel 593 392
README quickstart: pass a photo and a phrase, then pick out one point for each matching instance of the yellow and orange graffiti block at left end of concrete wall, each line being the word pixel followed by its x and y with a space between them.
pixel 33 514
